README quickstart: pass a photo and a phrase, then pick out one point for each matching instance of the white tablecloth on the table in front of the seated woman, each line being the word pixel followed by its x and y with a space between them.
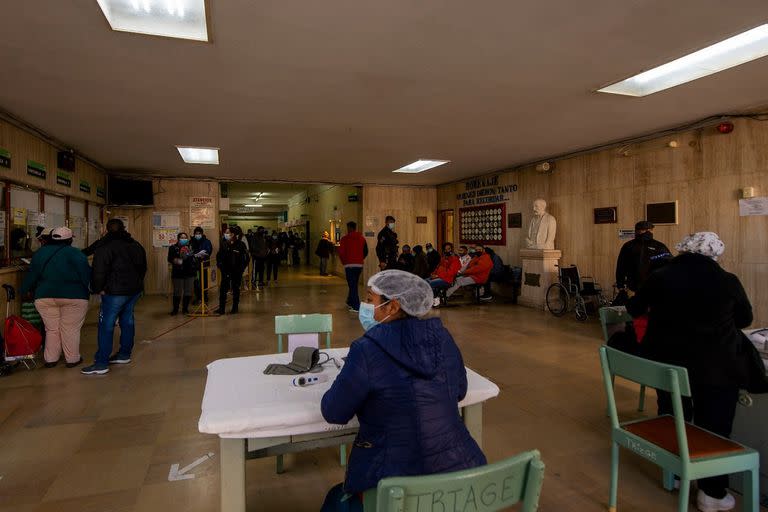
pixel 241 402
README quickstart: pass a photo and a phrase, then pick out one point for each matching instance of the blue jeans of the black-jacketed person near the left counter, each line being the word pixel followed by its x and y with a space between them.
pixel 114 307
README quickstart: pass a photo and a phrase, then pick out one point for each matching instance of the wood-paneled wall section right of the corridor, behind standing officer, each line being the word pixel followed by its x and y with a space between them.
pixel 404 204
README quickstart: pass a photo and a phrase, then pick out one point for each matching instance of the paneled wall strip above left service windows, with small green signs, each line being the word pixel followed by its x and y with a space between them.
pixel 24 146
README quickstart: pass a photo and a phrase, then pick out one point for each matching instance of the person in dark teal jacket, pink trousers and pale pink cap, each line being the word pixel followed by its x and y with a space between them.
pixel 59 277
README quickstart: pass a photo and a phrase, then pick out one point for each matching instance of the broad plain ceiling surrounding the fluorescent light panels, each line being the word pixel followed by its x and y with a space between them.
pixel 346 91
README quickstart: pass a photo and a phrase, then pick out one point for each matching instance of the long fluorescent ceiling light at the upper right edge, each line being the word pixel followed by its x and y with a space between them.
pixel 739 49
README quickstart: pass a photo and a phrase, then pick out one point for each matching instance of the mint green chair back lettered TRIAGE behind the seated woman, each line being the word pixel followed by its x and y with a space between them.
pixel 483 489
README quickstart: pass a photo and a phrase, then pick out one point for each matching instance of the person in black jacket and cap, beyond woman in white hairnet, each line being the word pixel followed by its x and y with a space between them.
pixel 639 257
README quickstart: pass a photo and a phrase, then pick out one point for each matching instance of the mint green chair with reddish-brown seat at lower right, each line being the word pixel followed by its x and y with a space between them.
pixel 680 448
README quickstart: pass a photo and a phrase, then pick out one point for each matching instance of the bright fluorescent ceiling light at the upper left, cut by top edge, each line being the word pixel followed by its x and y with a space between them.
pixel 182 19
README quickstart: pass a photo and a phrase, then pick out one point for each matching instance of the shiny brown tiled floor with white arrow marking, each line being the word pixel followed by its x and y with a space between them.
pixel 105 443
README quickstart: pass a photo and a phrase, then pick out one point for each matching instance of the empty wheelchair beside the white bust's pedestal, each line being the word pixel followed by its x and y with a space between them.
pixel 570 292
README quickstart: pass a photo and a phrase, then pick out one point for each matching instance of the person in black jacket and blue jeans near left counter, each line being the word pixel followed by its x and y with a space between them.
pixel 119 267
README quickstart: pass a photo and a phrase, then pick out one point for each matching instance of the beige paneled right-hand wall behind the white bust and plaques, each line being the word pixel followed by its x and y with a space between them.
pixel 704 174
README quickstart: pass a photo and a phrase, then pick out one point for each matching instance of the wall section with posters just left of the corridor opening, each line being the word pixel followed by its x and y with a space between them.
pixel 170 195
